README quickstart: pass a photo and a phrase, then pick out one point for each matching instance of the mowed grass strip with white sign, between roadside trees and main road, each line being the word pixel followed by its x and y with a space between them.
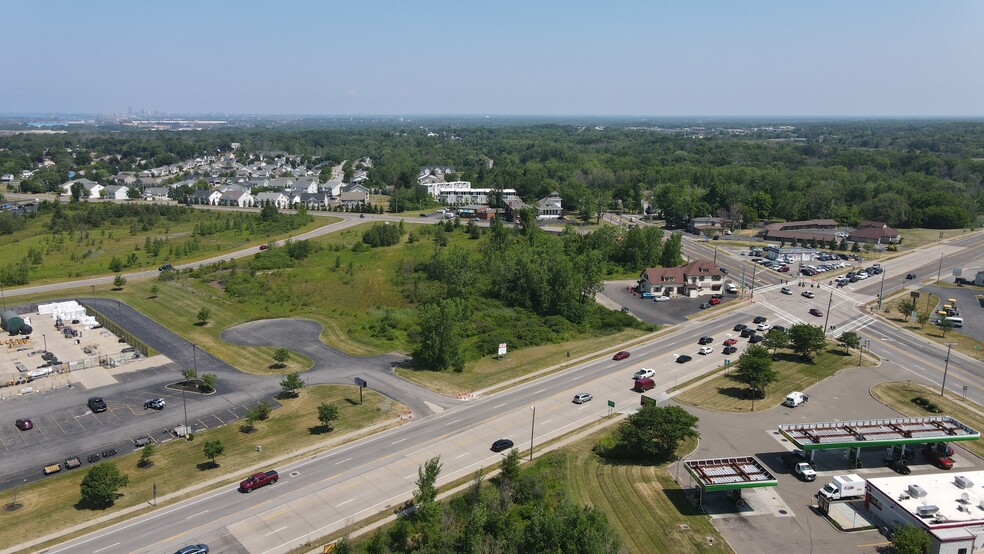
pixel 489 371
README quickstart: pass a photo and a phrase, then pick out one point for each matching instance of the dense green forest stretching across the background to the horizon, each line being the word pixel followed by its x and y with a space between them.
pixel 907 173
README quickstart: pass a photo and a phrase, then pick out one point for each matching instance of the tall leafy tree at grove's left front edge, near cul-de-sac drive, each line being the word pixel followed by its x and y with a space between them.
pixel 439 335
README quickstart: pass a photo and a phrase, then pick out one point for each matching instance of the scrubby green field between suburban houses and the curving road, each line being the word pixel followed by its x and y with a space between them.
pixel 88 252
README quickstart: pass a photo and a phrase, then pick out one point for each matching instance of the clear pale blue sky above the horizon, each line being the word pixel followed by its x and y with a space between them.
pixel 870 58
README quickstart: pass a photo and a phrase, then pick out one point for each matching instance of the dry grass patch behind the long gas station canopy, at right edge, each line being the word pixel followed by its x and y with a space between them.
pixel 898 396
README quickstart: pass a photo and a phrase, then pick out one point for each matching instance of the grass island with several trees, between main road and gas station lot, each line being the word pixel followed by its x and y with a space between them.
pixel 726 393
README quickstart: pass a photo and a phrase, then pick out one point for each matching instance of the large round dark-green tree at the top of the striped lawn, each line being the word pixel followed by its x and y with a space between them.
pixel 655 432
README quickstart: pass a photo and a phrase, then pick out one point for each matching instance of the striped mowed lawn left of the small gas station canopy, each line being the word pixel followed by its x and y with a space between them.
pixel 643 502
